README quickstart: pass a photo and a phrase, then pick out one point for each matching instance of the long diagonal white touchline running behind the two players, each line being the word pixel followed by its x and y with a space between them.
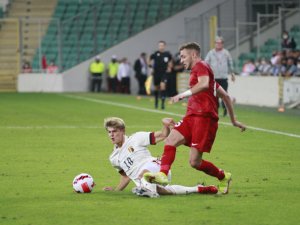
pixel 174 114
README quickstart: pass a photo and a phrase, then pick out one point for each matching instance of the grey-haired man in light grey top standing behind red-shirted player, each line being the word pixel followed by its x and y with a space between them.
pixel 221 63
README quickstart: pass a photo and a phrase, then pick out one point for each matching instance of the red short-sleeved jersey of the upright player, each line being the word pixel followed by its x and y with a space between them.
pixel 203 103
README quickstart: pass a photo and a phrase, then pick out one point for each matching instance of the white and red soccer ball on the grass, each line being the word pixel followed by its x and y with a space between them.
pixel 83 183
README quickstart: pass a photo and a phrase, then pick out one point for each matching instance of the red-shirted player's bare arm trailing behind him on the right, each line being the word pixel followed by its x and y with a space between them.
pixel 221 93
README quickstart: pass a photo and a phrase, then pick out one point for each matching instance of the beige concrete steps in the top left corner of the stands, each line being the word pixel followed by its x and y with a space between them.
pixel 20 14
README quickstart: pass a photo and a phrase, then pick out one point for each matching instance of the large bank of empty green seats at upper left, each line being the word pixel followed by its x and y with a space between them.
pixel 88 28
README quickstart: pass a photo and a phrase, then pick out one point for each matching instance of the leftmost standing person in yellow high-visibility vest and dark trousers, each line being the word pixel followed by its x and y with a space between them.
pixel 97 69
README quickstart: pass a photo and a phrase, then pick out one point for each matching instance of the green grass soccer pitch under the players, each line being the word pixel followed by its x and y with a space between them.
pixel 47 139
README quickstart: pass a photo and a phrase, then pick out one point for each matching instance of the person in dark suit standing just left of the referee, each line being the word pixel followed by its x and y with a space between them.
pixel 141 72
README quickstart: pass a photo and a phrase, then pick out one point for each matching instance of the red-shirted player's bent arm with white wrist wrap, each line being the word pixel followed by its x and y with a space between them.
pixel 202 85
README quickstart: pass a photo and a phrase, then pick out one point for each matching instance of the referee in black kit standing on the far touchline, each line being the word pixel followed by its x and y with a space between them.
pixel 159 61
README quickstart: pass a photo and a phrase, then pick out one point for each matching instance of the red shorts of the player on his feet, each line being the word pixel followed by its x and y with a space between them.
pixel 199 132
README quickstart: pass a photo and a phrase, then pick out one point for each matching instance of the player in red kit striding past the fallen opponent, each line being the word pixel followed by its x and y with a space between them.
pixel 199 126
